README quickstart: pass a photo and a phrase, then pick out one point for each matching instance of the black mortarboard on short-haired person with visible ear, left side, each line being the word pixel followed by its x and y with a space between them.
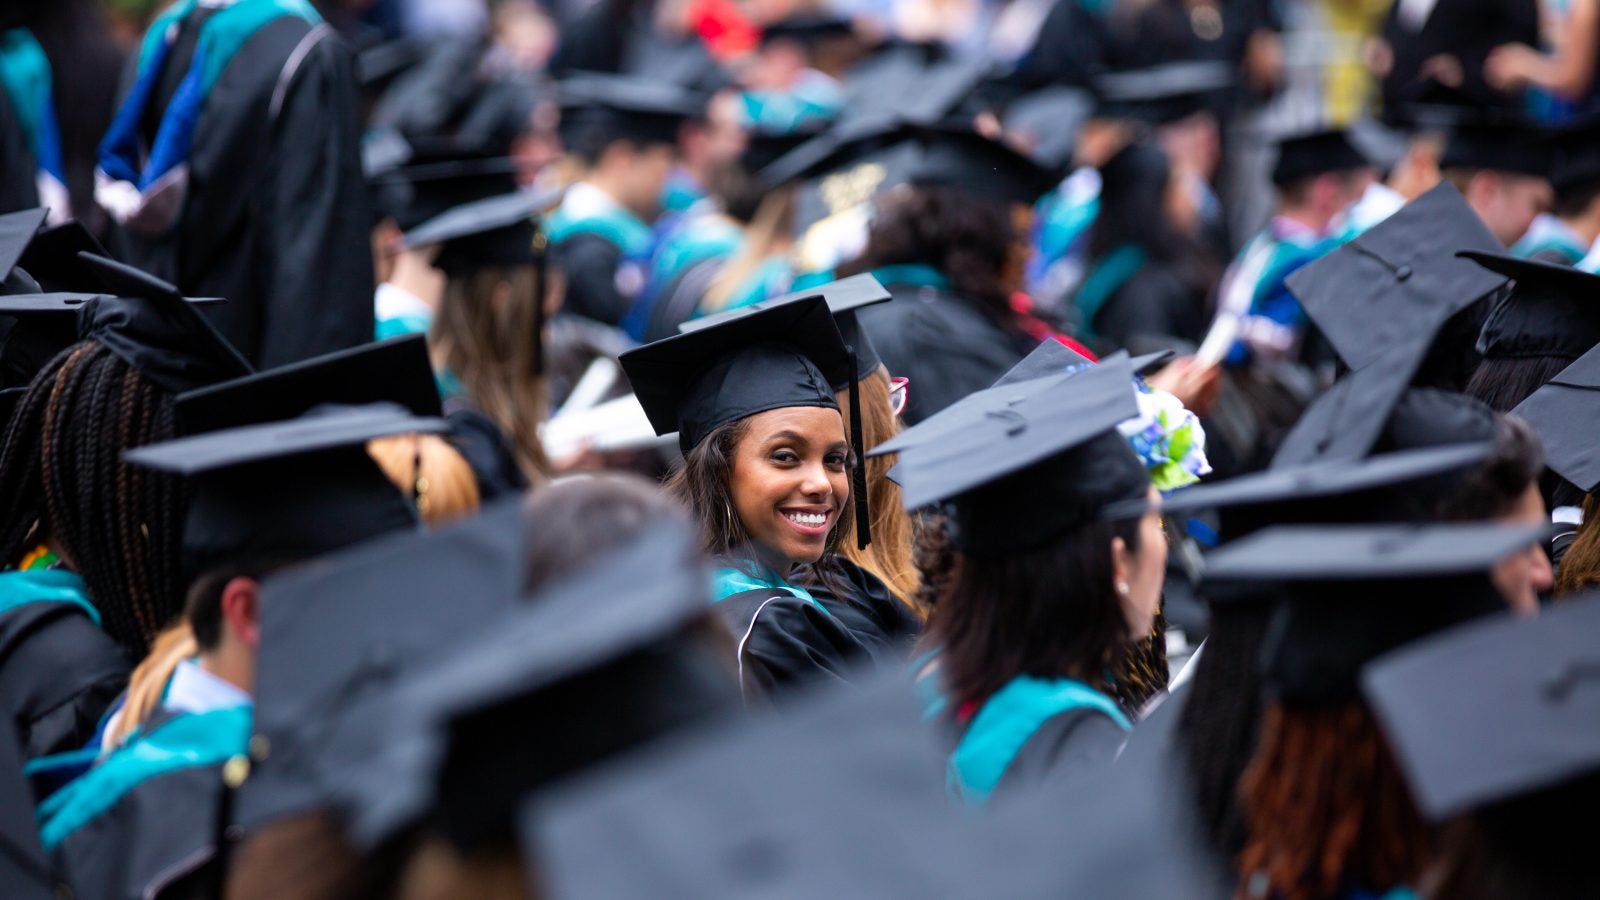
pixel 287 491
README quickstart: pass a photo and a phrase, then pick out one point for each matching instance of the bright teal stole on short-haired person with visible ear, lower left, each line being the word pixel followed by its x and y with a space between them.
pixel 185 742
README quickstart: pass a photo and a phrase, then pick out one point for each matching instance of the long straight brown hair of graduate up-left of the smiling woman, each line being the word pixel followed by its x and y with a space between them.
pixel 490 334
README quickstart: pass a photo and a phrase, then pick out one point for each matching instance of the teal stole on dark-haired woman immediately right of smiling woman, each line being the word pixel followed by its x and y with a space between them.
pixel 1004 726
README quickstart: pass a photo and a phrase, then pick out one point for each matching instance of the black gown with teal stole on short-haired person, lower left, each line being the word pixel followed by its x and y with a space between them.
pixel 145 821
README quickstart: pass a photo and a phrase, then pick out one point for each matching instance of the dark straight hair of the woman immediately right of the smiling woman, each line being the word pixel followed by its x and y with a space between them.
pixel 1046 613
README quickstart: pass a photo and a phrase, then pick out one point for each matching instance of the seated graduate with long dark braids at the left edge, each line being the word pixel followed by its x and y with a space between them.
pixel 90 547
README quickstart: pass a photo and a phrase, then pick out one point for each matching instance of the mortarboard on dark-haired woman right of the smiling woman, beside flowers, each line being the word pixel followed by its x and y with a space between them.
pixel 1023 473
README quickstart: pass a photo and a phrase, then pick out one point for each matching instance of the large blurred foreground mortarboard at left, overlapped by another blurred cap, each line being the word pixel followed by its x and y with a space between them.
pixel 338 635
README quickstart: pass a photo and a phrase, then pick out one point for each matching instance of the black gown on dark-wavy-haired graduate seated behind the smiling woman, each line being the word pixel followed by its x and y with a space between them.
pixel 943 345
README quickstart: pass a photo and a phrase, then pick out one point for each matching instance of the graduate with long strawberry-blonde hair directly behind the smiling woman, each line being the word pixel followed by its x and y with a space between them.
pixel 879 589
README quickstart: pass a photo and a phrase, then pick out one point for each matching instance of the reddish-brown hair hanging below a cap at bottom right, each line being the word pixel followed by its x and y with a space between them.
pixel 1329 810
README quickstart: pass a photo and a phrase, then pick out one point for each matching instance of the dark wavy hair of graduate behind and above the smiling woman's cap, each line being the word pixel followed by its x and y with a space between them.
pixel 966 238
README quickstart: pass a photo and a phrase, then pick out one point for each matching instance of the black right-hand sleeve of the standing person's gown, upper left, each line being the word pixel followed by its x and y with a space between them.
pixel 319 257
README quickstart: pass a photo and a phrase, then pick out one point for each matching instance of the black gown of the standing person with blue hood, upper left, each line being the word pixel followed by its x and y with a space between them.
pixel 276 219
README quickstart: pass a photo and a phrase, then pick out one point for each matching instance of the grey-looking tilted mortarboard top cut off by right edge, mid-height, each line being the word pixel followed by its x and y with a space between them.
pixel 1562 412
